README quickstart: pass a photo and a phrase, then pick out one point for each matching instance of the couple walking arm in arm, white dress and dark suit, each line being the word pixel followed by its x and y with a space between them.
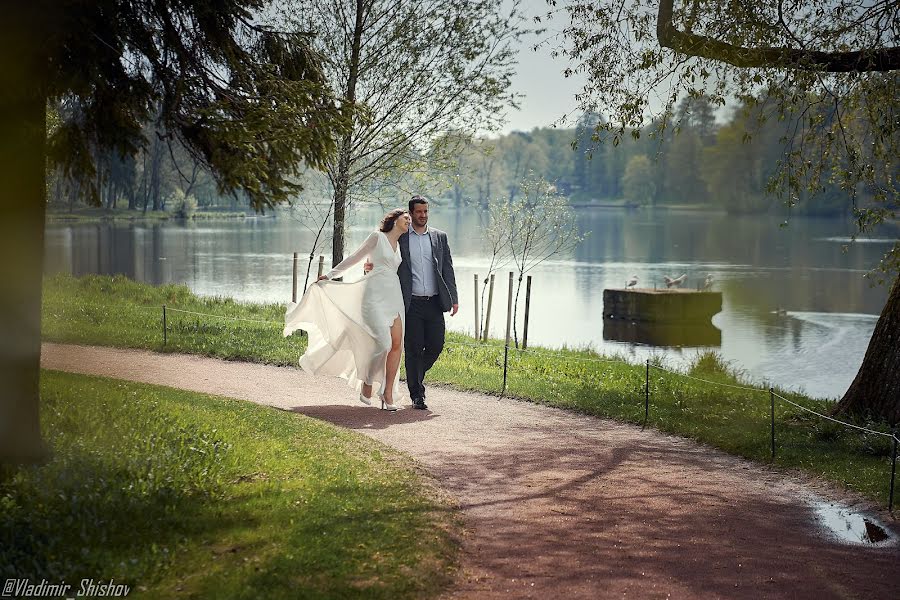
pixel 357 329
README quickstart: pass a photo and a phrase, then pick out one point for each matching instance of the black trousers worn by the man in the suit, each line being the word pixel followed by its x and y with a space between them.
pixel 423 341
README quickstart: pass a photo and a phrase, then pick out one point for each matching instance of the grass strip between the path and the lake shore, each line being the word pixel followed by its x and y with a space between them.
pixel 118 312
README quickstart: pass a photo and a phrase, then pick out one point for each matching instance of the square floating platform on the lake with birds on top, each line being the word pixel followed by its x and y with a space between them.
pixel 661 305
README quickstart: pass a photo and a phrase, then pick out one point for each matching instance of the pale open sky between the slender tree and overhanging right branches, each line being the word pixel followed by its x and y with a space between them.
pixel 548 94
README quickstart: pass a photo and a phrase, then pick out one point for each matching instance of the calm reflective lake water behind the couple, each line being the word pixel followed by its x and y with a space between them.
pixel 796 312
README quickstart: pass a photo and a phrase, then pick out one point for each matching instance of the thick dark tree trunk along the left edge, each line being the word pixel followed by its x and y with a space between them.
pixel 22 204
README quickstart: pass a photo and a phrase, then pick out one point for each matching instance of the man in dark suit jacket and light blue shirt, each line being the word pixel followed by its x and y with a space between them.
pixel 429 290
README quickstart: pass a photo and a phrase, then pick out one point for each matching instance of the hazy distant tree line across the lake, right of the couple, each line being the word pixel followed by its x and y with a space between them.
pixel 695 160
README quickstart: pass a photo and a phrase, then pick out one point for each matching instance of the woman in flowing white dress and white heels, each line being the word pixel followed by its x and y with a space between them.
pixel 356 329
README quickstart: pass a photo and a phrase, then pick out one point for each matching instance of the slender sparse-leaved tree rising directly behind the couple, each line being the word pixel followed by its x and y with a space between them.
pixel 415 69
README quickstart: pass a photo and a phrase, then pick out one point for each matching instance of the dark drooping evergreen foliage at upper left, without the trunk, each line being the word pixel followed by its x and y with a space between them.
pixel 248 102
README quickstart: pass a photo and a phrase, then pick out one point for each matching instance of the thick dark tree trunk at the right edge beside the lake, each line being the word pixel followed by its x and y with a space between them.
pixel 876 390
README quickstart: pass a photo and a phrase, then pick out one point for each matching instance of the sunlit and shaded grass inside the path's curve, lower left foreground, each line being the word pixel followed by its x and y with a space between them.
pixel 177 493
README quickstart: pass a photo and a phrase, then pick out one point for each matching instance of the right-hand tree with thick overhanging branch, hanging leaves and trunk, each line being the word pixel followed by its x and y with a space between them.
pixel 825 67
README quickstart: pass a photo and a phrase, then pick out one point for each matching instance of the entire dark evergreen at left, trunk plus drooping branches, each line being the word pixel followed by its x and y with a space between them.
pixel 249 103
